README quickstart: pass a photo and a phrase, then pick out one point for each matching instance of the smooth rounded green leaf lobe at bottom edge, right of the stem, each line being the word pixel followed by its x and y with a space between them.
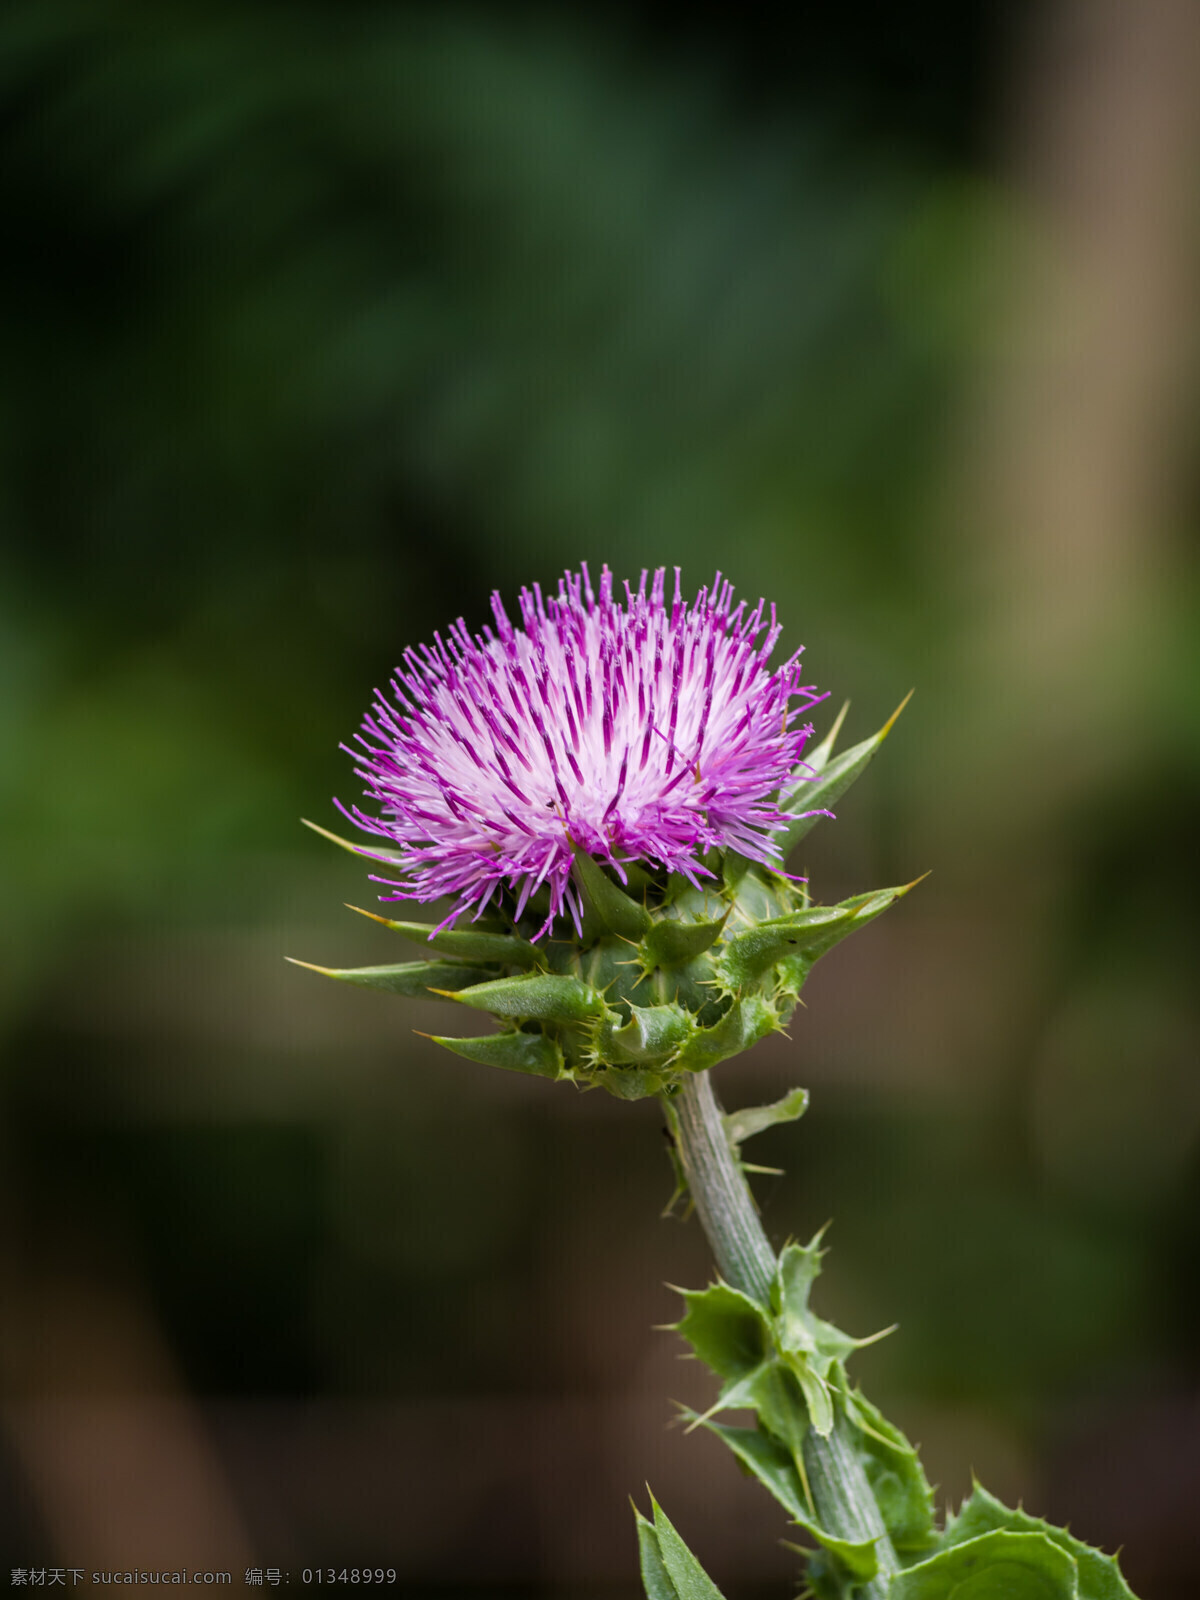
pixel 994 1567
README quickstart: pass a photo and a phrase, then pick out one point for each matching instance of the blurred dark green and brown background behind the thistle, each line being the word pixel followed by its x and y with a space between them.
pixel 319 322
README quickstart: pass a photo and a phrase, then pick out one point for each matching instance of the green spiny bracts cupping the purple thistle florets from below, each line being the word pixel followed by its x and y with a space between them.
pixel 663 980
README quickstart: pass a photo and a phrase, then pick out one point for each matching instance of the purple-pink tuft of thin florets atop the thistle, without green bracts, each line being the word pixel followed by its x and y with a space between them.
pixel 638 730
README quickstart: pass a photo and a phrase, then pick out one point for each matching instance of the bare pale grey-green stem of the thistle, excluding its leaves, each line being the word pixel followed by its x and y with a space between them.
pixel 745 1258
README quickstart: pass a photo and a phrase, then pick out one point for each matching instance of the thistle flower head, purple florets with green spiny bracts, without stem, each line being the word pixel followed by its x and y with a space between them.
pixel 628 764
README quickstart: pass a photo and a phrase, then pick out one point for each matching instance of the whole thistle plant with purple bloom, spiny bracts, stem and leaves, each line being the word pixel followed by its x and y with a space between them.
pixel 626 764
